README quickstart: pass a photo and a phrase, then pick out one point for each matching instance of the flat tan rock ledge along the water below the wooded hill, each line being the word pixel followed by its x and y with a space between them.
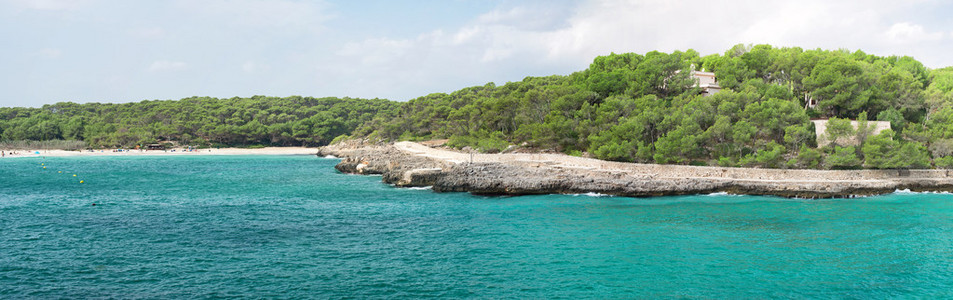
pixel 508 176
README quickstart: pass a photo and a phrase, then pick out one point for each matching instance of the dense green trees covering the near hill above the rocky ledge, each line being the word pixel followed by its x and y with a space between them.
pixel 646 108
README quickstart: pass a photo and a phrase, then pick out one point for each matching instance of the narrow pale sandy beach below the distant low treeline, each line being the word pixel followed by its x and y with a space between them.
pixel 174 152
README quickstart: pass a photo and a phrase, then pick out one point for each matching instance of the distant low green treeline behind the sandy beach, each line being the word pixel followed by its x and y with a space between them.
pixel 198 121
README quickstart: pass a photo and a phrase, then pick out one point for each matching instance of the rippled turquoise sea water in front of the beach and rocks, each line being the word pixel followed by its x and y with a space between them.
pixel 293 227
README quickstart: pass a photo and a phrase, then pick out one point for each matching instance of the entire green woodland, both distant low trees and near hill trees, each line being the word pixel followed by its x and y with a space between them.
pixel 624 107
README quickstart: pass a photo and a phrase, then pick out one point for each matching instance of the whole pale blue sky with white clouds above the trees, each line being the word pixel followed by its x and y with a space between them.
pixel 128 51
